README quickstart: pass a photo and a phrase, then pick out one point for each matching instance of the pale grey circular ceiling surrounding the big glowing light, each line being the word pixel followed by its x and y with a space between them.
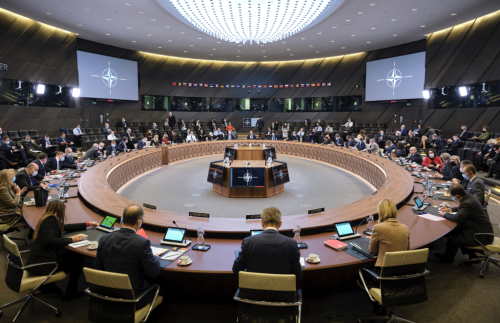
pixel 349 27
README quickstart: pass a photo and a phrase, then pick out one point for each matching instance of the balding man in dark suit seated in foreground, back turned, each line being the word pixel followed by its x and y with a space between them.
pixel 126 252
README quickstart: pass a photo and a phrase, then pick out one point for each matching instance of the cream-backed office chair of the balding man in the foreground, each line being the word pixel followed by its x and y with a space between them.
pixel 112 298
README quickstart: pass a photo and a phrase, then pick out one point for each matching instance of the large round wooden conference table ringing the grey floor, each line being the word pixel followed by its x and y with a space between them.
pixel 211 274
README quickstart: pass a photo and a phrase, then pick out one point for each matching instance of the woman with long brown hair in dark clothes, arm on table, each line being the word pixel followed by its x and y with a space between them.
pixel 48 246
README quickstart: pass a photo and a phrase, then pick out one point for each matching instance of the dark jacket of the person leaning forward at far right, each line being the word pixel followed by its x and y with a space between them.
pixel 471 219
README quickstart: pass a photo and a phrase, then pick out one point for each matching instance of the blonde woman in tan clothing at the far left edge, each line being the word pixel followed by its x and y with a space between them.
pixel 10 196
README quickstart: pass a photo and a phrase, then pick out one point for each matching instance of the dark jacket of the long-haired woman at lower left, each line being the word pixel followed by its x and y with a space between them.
pixel 48 242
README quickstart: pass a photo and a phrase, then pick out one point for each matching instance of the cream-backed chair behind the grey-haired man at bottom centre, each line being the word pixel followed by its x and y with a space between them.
pixel 268 298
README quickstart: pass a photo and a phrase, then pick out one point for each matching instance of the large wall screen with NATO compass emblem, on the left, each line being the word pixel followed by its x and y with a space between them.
pixel 105 77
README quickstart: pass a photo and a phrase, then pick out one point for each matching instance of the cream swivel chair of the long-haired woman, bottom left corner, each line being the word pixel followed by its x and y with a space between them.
pixel 19 280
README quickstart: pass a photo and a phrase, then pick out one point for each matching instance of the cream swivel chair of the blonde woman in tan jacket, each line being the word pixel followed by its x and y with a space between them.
pixel 401 282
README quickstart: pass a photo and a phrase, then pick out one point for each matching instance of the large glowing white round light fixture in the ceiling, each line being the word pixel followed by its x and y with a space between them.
pixel 251 20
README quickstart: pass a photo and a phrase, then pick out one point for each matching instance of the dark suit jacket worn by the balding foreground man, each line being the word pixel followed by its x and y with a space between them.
pixel 126 252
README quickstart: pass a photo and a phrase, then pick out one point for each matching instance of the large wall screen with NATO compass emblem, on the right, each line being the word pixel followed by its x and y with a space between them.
pixel 396 78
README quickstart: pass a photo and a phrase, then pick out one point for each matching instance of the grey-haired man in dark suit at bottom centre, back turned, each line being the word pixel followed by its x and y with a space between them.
pixel 269 252
